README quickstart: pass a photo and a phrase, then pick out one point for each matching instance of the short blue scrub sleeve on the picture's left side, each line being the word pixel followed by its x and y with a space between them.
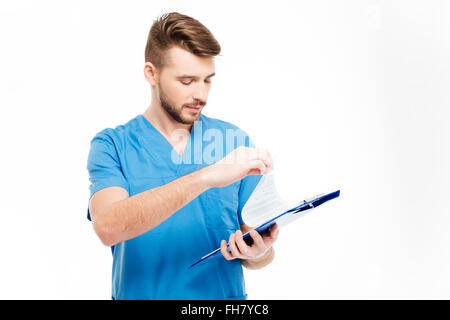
pixel 103 165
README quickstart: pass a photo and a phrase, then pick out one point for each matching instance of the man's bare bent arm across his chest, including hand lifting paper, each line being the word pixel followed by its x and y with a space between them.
pixel 117 217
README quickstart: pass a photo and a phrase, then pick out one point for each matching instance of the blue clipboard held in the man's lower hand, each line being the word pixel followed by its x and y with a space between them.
pixel 282 219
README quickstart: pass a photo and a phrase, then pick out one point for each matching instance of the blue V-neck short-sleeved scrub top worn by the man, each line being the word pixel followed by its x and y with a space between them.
pixel 155 265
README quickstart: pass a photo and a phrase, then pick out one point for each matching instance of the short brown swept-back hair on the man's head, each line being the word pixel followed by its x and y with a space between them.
pixel 175 29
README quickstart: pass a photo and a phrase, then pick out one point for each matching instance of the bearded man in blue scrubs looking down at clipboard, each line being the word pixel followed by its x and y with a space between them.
pixel 160 196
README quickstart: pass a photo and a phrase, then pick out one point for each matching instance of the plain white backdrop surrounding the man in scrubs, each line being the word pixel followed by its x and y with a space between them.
pixel 349 95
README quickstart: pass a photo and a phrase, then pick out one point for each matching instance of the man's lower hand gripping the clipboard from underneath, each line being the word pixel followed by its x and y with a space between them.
pixel 256 256
